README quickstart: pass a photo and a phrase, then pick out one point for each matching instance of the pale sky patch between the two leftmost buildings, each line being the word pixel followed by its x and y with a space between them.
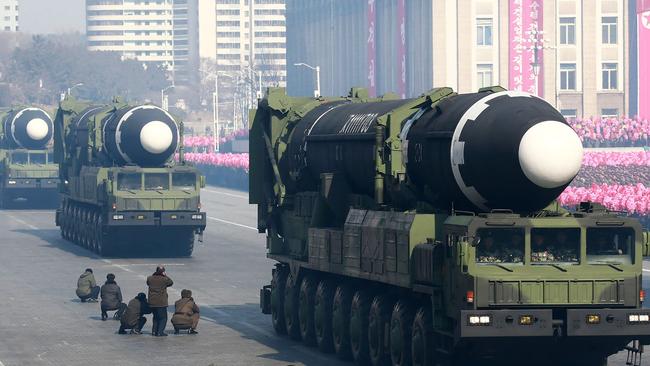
pixel 52 16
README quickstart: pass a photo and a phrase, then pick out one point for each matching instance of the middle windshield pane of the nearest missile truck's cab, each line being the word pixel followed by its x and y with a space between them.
pixel 555 245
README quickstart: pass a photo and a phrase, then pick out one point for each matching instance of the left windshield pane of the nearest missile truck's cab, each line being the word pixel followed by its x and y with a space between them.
pixel 500 246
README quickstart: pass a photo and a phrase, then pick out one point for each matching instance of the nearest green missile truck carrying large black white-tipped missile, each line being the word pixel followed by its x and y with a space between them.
pixel 424 231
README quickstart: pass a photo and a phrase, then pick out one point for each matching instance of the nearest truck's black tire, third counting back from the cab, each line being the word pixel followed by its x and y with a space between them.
pixel 378 318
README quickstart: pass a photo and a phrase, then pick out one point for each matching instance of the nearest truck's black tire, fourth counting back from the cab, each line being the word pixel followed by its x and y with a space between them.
pixel 359 311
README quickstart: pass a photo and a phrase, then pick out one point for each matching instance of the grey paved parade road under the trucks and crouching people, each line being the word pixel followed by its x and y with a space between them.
pixel 43 323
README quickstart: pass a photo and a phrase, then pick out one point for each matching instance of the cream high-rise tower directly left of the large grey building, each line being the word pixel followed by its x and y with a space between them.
pixel 243 34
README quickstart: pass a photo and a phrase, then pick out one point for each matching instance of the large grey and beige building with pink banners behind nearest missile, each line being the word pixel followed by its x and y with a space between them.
pixel 580 66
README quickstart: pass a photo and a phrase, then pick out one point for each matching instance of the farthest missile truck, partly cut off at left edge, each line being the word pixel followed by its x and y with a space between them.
pixel 27 171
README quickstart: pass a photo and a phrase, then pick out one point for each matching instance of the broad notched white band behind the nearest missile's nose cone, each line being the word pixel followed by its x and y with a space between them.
pixel 457 149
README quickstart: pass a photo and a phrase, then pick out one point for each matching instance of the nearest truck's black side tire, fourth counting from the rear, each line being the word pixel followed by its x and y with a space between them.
pixel 323 315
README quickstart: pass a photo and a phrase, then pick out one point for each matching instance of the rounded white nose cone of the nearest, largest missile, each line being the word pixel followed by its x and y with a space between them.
pixel 550 154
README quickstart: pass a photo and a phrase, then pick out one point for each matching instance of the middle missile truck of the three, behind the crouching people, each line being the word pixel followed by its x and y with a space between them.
pixel 122 190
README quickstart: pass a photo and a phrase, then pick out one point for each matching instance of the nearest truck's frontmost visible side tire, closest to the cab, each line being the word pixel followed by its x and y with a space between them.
pixel 422 351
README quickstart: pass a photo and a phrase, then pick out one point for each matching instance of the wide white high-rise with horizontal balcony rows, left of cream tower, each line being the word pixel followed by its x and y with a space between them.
pixel 151 31
